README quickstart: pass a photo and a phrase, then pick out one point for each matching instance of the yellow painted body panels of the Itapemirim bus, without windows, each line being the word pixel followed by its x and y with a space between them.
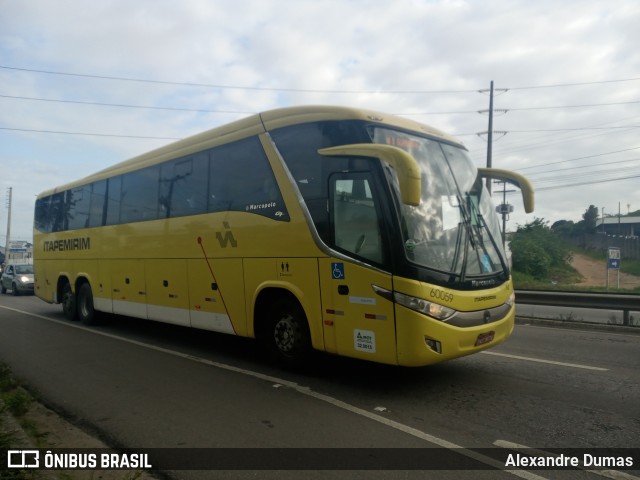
pixel 186 270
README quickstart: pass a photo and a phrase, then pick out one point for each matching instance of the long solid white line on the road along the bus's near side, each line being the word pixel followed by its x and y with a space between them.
pixel 304 391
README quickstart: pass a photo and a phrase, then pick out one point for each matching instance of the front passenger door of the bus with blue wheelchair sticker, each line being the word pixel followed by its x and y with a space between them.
pixel 357 320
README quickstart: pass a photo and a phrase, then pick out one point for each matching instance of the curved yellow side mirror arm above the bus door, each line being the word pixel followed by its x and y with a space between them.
pixel 406 167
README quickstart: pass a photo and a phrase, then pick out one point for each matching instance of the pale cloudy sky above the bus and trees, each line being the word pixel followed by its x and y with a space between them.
pixel 84 85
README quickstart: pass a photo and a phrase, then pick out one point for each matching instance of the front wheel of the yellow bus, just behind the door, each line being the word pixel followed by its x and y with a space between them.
pixel 286 337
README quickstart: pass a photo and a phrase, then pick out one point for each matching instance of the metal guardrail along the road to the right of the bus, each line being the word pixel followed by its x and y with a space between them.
pixel 609 301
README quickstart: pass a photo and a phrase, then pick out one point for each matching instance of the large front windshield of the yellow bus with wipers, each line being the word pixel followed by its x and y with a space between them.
pixel 454 229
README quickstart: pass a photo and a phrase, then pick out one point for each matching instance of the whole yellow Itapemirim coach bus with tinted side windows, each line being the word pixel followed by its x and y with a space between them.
pixel 324 228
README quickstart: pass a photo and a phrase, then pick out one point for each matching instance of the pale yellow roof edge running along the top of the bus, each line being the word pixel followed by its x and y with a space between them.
pixel 254 125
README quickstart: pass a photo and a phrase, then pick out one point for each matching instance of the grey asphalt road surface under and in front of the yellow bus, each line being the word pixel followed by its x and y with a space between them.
pixel 142 384
